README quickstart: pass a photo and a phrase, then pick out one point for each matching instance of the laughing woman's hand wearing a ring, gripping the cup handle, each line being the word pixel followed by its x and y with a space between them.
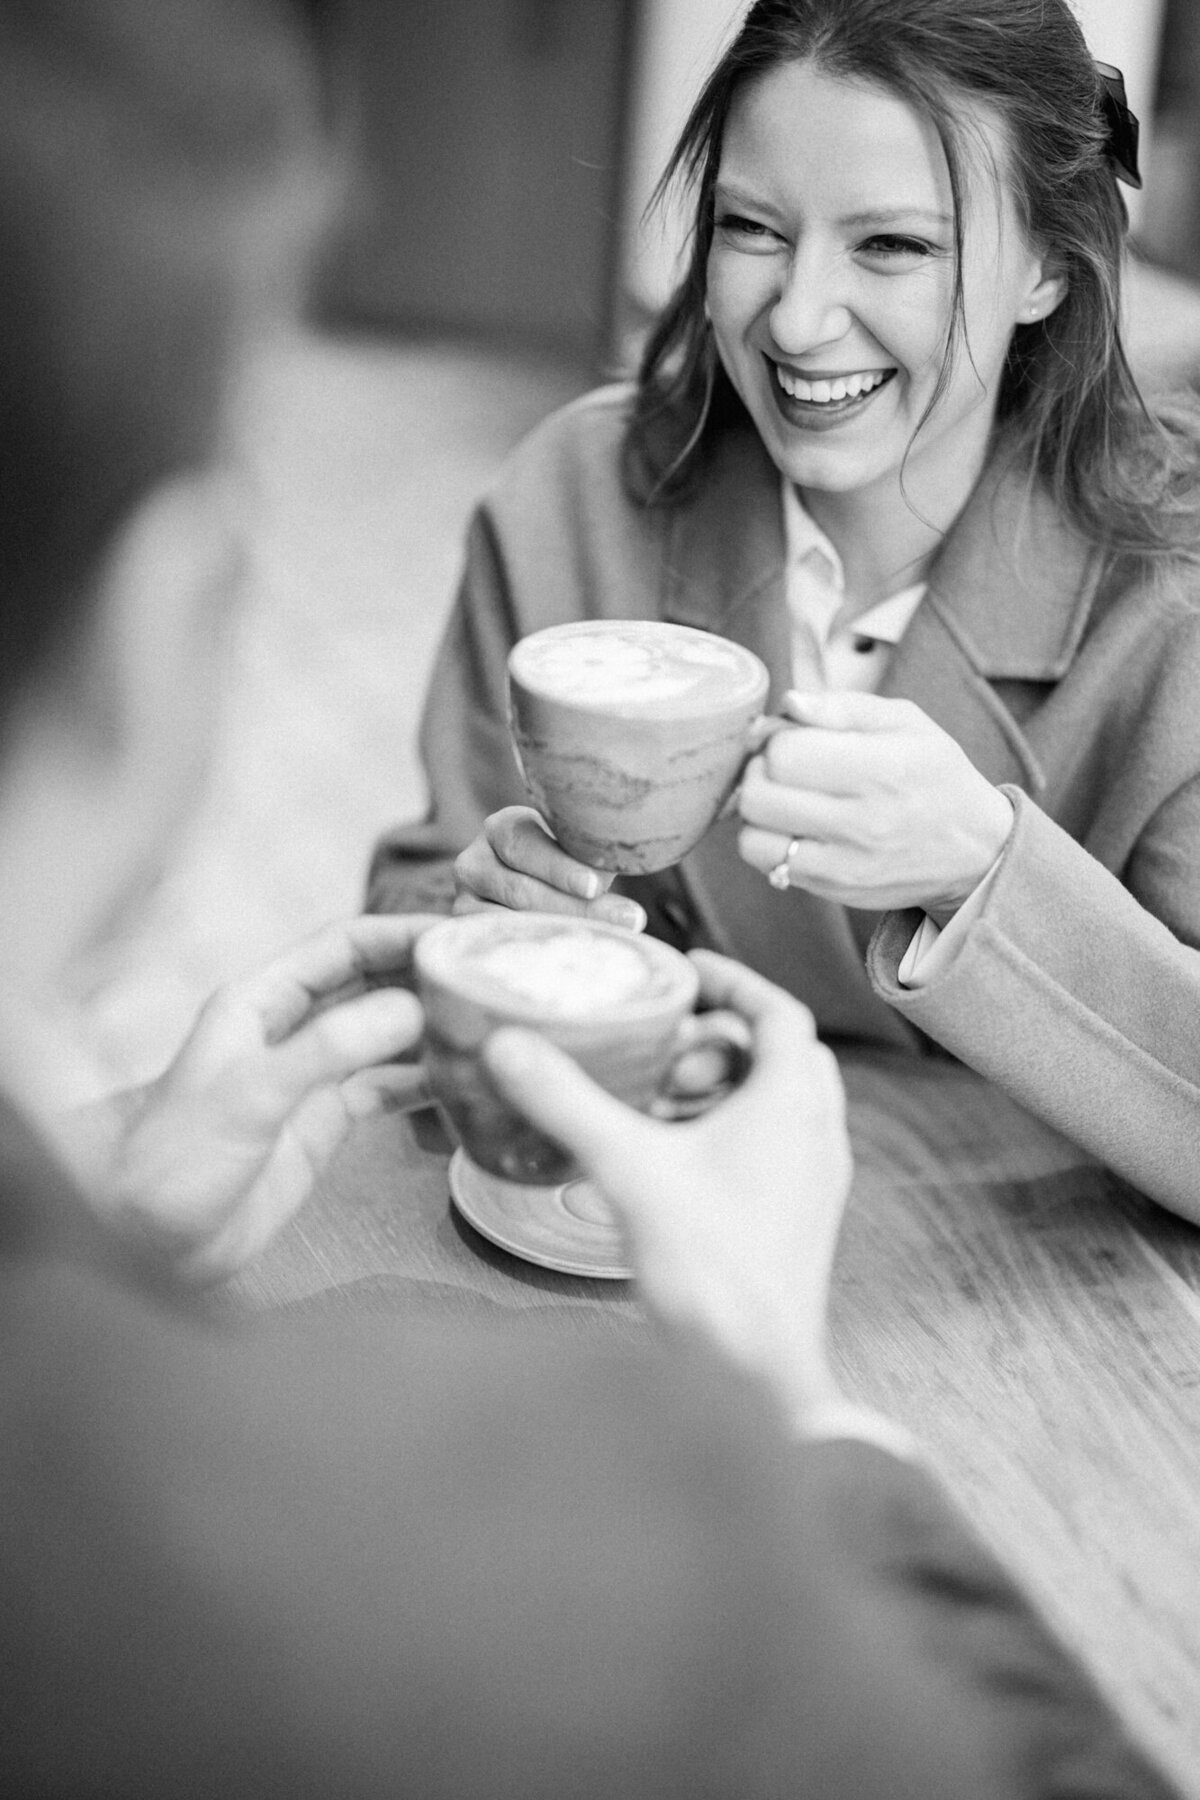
pixel 886 807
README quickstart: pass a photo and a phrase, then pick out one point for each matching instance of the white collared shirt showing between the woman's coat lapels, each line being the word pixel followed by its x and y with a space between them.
pixel 832 652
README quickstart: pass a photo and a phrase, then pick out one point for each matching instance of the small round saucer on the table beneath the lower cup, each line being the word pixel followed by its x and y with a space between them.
pixel 568 1228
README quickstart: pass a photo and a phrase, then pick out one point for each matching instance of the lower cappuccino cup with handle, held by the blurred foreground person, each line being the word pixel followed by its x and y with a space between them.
pixel 620 1003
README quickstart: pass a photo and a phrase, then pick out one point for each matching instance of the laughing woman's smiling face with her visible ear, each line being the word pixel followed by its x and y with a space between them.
pixel 830 285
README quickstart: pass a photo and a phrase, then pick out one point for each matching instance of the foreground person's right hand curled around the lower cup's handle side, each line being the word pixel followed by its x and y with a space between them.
pixel 733 1218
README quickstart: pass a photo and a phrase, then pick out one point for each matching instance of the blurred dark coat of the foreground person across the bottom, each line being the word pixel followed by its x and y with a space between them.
pixel 425 1558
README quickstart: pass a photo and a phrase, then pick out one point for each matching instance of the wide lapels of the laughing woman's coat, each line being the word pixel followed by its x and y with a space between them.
pixel 1008 597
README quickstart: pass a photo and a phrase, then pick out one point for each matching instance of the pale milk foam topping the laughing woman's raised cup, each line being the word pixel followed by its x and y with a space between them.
pixel 613 665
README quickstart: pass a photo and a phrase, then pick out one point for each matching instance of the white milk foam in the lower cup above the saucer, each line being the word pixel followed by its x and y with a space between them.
pixel 566 973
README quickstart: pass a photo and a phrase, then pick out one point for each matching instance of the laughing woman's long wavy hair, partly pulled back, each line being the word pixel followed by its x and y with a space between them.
pixel 1070 406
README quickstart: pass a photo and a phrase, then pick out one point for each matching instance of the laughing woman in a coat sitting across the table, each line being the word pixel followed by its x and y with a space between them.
pixel 886 435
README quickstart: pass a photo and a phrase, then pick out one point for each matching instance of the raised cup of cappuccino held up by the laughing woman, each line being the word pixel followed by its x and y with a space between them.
pixel 632 735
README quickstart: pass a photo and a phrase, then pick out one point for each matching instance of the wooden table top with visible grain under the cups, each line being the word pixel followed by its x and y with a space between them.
pixel 1035 1324
